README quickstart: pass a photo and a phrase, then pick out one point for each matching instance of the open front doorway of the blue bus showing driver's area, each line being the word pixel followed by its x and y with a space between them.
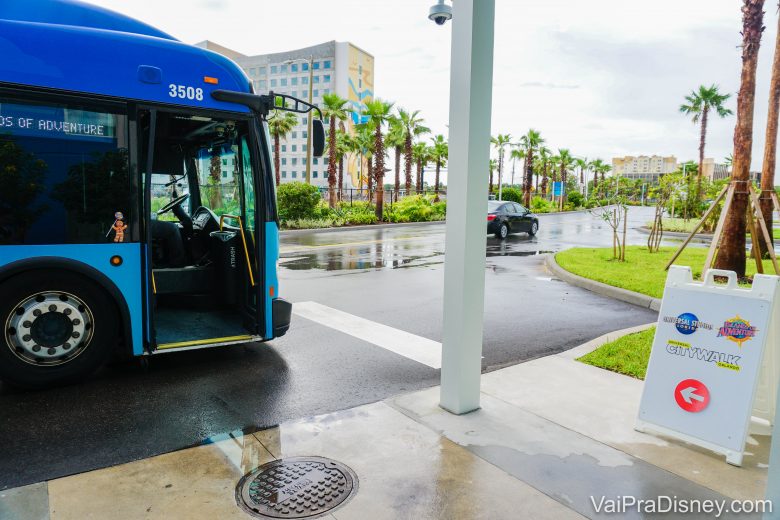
pixel 204 248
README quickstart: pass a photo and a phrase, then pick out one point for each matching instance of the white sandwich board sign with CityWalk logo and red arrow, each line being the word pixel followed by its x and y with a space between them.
pixel 706 359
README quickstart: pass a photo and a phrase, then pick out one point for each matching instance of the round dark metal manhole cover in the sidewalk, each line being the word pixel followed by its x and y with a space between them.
pixel 298 487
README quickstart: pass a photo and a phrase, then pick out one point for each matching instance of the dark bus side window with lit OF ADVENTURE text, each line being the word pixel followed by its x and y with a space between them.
pixel 64 173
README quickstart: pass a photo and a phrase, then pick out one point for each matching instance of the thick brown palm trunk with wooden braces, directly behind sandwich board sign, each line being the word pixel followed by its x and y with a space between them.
pixel 732 251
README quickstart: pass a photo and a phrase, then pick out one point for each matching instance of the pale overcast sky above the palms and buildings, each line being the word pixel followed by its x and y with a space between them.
pixel 603 78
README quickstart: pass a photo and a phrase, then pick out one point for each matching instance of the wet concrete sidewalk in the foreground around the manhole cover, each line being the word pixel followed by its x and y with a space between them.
pixel 551 434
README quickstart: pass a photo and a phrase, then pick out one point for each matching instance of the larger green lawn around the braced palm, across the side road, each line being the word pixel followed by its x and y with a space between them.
pixel 642 271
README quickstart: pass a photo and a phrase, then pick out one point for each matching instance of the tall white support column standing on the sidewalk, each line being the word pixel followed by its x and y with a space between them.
pixel 471 92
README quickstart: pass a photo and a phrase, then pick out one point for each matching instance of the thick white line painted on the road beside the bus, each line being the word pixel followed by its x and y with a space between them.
pixel 417 348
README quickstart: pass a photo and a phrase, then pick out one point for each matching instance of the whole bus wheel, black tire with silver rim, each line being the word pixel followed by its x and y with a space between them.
pixel 58 327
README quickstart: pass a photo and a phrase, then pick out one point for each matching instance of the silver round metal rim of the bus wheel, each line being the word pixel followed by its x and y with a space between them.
pixel 49 328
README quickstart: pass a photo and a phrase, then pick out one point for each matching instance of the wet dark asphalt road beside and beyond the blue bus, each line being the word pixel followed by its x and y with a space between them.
pixel 392 276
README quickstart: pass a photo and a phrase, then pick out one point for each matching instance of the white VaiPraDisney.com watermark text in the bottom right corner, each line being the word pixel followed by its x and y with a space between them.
pixel 663 504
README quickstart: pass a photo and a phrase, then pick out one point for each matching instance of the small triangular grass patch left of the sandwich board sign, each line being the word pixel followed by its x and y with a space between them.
pixel 627 355
